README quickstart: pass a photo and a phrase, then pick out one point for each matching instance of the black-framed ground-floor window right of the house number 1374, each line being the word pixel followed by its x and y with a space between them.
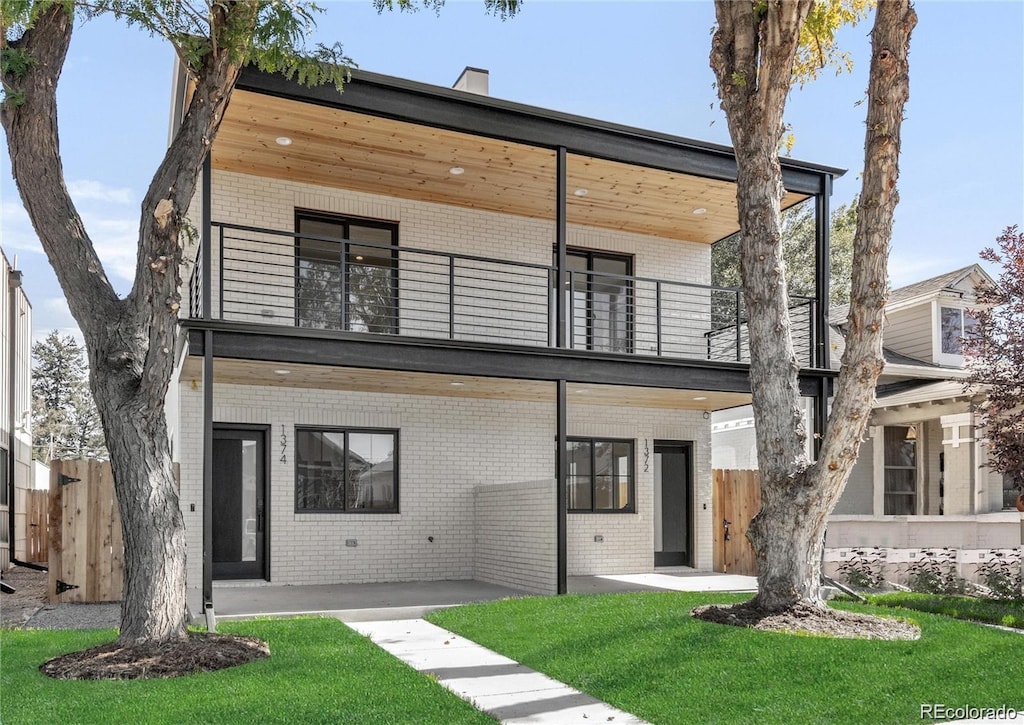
pixel 347 471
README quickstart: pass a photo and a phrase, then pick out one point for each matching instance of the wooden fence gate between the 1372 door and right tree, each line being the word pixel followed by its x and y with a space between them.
pixel 737 498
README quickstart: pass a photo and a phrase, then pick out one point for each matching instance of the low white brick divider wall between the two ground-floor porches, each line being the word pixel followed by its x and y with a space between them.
pixel 516 536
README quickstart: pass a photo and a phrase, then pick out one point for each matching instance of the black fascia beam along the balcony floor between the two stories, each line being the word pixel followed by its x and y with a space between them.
pixel 265 344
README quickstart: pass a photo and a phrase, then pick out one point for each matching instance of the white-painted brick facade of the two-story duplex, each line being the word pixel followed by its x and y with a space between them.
pixel 449 448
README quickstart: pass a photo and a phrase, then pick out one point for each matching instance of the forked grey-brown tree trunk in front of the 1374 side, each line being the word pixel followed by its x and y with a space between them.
pixel 131 342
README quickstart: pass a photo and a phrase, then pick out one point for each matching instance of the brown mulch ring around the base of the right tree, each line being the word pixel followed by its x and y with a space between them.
pixel 809 620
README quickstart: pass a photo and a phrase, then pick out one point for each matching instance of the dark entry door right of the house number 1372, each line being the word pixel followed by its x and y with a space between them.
pixel 673 518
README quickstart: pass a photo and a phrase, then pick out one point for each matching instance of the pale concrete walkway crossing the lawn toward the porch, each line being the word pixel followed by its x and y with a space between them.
pixel 499 687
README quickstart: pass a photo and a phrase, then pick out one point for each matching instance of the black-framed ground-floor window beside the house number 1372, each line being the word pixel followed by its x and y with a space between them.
pixel 601 477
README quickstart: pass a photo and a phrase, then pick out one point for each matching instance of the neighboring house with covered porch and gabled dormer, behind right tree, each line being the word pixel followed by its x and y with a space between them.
pixel 922 479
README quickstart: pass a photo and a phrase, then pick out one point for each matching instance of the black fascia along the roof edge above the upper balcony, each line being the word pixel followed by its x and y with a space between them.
pixel 401 100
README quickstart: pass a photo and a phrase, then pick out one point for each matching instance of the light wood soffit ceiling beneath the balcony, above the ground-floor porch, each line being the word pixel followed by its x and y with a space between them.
pixel 235 372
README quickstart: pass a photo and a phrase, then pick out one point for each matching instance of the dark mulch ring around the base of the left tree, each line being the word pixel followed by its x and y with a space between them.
pixel 200 652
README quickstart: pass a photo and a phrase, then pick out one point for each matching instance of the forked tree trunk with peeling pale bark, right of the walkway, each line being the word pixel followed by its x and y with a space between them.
pixel 753 57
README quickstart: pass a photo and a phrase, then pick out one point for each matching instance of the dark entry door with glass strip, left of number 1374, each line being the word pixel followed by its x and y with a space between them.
pixel 239 503
